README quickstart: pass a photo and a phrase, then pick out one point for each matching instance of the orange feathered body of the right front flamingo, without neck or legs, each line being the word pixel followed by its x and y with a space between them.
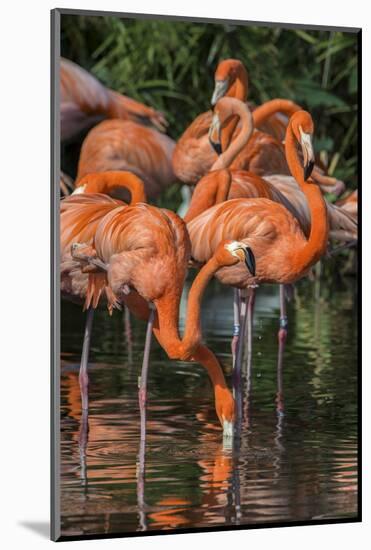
pixel 266 227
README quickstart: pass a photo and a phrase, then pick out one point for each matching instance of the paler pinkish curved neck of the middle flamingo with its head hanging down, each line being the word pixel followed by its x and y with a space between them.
pixel 247 127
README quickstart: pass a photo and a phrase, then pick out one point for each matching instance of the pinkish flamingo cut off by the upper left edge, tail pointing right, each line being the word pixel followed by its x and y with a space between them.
pixel 85 101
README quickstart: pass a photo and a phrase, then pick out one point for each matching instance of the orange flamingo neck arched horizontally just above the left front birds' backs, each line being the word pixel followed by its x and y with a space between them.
pixel 108 182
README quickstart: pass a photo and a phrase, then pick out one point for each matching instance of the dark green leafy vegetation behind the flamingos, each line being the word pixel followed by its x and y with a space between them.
pixel 170 65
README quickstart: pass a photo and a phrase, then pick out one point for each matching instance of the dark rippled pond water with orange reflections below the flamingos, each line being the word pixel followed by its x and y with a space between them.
pixel 295 460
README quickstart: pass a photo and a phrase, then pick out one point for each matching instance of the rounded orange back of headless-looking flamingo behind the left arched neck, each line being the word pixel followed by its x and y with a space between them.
pixel 125 145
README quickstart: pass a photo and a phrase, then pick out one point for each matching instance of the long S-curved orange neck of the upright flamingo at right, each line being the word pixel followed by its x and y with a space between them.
pixel 316 244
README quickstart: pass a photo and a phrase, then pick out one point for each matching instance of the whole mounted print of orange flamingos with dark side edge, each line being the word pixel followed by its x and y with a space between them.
pixel 205 180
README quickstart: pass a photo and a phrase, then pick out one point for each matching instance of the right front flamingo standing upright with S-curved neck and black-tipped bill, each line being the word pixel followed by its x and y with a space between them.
pixel 283 252
